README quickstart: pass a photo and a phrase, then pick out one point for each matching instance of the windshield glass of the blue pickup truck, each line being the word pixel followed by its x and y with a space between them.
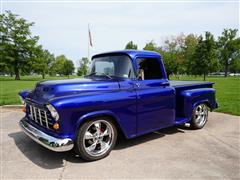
pixel 113 66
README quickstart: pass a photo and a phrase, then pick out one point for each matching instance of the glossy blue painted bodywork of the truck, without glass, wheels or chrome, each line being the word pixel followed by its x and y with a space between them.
pixel 137 106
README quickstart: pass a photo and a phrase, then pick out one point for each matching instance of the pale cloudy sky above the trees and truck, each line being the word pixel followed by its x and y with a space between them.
pixel 63 25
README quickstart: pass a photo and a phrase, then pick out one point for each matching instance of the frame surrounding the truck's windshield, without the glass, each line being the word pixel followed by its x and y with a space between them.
pixel 113 76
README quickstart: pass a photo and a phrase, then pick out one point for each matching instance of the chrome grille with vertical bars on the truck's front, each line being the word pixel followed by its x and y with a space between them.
pixel 40 116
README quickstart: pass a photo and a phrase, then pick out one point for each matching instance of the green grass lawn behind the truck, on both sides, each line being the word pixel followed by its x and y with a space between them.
pixel 228 90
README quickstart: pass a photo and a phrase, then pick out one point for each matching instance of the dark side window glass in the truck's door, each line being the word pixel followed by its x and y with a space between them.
pixel 150 68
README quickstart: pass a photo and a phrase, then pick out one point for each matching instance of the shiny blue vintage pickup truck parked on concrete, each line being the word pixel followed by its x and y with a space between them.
pixel 125 92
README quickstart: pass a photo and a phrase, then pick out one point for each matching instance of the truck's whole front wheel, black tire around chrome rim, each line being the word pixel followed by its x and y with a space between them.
pixel 95 139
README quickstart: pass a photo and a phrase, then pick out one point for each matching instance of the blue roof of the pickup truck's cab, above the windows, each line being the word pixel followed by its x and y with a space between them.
pixel 131 53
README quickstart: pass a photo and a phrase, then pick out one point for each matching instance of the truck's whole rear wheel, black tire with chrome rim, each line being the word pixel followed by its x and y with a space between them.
pixel 199 116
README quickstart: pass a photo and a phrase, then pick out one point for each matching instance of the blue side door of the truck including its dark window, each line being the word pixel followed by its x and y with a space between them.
pixel 155 98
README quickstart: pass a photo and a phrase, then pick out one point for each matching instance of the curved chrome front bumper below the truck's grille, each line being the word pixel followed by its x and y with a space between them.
pixel 50 142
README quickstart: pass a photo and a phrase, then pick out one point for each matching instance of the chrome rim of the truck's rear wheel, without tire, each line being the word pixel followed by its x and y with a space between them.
pixel 200 115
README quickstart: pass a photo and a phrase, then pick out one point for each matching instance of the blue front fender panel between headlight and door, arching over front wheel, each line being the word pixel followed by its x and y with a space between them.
pixel 120 105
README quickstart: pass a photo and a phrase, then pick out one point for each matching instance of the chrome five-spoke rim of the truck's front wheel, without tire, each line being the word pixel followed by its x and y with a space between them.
pixel 98 138
